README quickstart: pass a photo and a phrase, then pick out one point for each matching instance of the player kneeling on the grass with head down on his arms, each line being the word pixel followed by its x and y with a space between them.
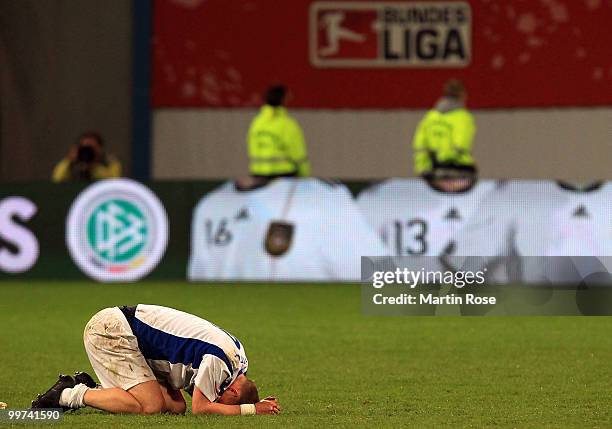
pixel 144 355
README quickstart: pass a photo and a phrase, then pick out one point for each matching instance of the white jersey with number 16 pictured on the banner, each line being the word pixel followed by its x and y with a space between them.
pixel 326 233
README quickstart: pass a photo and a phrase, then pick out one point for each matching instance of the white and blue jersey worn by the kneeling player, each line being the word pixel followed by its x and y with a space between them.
pixel 185 351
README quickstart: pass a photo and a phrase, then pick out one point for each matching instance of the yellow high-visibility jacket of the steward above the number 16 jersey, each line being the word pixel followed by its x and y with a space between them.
pixel 276 144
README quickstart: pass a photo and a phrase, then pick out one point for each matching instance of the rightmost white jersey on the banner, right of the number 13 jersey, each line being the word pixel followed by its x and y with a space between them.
pixel 542 219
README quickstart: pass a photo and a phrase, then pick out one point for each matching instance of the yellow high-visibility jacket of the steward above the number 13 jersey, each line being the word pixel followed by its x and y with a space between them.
pixel 444 137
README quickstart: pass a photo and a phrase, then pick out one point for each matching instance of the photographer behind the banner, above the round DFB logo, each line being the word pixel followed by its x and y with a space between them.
pixel 86 161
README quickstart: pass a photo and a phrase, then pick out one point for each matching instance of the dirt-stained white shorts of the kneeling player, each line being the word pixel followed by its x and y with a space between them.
pixel 113 351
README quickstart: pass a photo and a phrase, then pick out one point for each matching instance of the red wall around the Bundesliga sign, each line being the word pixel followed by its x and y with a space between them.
pixel 524 53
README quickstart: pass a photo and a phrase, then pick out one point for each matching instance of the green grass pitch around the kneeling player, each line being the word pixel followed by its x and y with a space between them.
pixel 330 365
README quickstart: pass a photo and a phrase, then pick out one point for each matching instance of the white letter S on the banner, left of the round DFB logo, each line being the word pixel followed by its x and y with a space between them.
pixel 18 245
